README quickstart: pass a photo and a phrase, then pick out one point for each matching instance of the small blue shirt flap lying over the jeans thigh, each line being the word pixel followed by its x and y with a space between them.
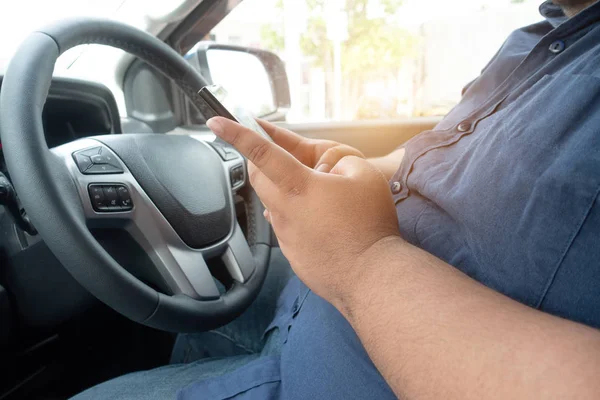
pixel 259 379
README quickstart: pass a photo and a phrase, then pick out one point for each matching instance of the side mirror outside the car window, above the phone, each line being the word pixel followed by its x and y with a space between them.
pixel 256 78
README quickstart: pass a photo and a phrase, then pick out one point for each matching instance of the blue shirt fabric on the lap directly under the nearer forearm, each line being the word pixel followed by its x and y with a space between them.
pixel 324 359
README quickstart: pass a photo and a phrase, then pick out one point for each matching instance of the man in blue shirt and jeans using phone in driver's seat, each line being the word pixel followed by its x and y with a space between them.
pixel 504 191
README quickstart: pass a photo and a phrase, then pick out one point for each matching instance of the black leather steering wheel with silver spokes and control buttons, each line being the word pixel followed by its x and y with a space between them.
pixel 174 194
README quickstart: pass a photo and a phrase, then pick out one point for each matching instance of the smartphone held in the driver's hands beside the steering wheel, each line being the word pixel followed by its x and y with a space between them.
pixel 223 105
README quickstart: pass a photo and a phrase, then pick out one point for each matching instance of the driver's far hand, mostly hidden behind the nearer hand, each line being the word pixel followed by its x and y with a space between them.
pixel 318 154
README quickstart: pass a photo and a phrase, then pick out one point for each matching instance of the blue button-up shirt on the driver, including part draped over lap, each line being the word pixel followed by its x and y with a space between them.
pixel 505 188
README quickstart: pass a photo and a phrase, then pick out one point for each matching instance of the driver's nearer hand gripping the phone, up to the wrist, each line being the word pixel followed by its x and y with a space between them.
pixel 325 222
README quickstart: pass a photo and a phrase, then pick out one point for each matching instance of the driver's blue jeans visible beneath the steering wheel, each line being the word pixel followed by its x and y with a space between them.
pixel 208 354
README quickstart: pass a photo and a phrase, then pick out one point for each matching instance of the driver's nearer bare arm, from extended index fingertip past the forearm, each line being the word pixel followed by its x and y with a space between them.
pixel 431 331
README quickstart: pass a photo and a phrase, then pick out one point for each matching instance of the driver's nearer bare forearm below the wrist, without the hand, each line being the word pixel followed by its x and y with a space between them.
pixel 435 333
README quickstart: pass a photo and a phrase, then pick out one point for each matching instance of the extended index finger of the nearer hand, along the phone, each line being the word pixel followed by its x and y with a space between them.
pixel 280 167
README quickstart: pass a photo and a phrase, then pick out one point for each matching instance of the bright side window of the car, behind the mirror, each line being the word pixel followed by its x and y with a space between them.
pixel 376 59
